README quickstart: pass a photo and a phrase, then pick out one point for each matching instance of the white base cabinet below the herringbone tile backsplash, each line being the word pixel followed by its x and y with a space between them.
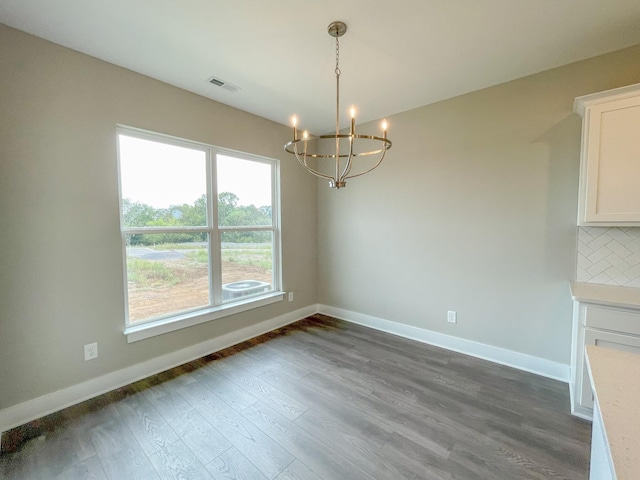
pixel 602 325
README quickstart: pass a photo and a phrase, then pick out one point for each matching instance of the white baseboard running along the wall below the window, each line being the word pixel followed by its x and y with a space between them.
pixel 30 410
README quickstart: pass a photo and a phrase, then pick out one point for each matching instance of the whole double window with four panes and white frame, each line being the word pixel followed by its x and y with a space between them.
pixel 199 231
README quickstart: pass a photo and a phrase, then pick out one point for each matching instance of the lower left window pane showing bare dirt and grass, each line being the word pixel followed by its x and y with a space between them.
pixel 166 277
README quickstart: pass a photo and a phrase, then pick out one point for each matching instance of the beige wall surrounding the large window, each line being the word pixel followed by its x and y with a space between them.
pixel 61 283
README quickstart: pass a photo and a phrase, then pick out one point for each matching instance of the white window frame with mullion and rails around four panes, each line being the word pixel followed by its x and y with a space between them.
pixel 217 308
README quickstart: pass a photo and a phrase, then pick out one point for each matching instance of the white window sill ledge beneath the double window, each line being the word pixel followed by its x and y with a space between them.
pixel 135 333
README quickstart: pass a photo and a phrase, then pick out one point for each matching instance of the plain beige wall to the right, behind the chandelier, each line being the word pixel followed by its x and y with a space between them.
pixel 473 210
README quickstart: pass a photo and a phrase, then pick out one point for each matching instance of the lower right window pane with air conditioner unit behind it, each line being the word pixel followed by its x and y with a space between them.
pixel 247 264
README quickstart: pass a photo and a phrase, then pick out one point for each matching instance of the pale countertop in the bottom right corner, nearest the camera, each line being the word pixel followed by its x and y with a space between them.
pixel 615 376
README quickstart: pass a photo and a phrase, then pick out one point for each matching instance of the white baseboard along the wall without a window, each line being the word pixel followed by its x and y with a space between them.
pixel 527 363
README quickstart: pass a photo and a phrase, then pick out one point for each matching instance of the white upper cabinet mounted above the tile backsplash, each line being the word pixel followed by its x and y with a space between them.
pixel 610 158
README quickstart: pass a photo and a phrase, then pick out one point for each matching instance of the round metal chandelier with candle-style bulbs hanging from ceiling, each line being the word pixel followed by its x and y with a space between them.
pixel 345 149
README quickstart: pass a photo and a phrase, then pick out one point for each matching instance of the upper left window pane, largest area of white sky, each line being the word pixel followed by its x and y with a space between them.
pixel 162 184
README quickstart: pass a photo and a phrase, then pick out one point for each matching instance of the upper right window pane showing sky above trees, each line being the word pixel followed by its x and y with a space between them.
pixel 244 192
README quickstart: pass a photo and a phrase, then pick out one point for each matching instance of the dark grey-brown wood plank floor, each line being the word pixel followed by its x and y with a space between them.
pixel 320 399
